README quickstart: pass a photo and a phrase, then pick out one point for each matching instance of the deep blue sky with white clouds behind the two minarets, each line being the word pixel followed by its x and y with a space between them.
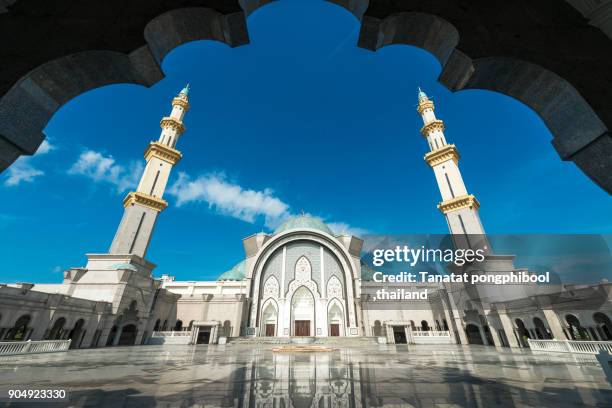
pixel 299 119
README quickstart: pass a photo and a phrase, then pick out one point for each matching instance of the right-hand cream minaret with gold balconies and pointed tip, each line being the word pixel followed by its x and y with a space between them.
pixel 459 207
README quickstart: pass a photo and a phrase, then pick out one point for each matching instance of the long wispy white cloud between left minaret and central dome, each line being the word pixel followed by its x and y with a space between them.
pixel 229 198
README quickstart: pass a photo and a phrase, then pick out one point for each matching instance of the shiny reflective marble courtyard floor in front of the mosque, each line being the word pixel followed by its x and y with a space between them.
pixel 251 376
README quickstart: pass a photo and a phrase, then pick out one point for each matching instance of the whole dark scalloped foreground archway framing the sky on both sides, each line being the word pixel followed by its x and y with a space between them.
pixel 38 85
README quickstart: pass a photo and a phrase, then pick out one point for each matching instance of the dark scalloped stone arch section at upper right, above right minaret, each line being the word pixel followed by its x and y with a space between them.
pixel 580 130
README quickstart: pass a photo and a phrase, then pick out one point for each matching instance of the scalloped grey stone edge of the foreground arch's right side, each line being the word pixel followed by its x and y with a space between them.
pixel 580 132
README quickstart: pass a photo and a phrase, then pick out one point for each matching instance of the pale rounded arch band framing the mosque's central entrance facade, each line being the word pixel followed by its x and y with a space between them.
pixel 322 238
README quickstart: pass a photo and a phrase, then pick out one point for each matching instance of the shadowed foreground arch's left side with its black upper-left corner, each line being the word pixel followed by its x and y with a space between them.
pixel 59 51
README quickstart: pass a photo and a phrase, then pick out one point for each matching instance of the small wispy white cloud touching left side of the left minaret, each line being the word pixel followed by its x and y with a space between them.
pixel 100 168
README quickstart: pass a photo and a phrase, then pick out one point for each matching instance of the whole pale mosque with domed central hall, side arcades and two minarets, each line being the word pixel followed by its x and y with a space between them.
pixel 300 281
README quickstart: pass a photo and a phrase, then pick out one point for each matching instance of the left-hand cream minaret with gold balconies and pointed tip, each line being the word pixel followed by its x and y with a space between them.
pixel 143 205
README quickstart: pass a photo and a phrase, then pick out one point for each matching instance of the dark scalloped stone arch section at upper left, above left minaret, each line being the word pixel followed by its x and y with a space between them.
pixel 56 76
